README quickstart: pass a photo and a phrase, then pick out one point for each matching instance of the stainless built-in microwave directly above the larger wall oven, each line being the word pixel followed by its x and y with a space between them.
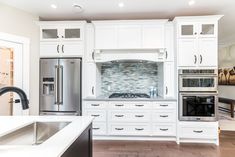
pixel 198 80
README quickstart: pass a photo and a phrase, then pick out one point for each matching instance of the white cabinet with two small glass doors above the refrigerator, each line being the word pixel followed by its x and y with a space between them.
pixel 61 31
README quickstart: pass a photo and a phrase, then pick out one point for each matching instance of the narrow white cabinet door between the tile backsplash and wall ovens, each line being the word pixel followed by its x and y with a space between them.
pixel 169 80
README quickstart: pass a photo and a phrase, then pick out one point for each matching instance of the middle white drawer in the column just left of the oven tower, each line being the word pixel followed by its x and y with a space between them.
pixel 164 116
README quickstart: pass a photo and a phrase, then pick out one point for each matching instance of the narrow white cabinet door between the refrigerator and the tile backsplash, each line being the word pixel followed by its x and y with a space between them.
pixel 90 79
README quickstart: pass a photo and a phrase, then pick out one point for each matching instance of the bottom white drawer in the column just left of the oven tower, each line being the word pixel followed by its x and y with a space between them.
pixel 164 129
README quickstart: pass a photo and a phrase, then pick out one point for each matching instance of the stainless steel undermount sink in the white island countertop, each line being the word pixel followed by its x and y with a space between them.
pixel 33 134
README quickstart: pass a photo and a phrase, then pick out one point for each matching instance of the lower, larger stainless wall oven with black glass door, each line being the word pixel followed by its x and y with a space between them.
pixel 195 106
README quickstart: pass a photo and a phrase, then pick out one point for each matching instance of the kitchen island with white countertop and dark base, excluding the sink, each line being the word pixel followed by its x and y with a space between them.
pixel 73 139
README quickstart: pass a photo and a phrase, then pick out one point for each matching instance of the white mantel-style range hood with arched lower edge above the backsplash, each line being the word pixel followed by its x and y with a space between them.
pixel 154 55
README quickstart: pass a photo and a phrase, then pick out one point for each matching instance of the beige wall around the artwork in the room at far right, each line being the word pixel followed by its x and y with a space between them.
pixel 227 60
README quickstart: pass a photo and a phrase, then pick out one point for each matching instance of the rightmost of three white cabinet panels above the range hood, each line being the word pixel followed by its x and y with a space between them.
pixel 153 36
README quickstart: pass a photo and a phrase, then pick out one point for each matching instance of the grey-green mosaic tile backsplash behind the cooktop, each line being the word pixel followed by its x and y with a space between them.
pixel 128 77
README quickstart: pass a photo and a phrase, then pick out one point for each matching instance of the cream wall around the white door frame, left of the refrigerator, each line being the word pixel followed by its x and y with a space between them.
pixel 17 22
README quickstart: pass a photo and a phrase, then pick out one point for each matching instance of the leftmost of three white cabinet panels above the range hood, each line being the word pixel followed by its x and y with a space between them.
pixel 106 37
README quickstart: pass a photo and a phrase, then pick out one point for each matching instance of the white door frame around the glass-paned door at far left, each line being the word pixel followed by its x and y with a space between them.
pixel 26 58
